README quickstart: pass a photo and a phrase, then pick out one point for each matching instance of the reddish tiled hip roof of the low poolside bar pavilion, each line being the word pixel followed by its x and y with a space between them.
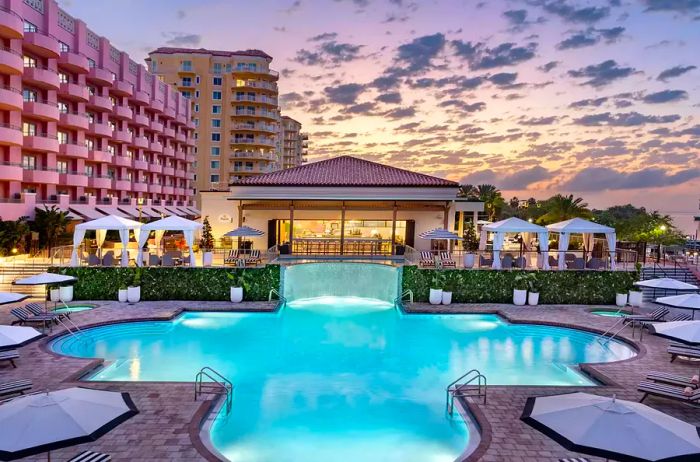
pixel 345 171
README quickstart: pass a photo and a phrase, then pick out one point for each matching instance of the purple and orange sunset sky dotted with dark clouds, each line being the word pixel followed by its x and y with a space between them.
pixel 596 98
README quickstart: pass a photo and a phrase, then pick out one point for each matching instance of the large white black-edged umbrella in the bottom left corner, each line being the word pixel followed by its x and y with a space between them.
pixel 43 422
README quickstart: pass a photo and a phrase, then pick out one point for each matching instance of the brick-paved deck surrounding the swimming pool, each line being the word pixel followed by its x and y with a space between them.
pixel 169 423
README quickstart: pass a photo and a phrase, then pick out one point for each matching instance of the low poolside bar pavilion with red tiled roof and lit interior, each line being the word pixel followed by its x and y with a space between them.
pixel 340 206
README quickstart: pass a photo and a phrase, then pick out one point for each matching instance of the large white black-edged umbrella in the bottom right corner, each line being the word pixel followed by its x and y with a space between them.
pixel 612 428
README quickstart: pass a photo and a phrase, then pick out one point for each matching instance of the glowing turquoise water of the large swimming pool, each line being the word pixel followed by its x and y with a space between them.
pixel 341 379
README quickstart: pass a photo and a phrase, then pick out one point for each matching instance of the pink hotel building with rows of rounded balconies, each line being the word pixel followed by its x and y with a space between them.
pixel 81 122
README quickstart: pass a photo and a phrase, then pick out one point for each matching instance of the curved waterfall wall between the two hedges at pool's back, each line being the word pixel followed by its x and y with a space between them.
pixel 367 280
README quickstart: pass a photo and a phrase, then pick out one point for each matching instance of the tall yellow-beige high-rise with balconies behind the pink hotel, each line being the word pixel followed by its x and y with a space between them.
pixel 235 110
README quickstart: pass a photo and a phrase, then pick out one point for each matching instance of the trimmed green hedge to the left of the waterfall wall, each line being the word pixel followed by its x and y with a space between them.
pixel 174 283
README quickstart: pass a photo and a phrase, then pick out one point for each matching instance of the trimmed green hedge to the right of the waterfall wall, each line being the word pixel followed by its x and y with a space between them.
pixel 485 286
